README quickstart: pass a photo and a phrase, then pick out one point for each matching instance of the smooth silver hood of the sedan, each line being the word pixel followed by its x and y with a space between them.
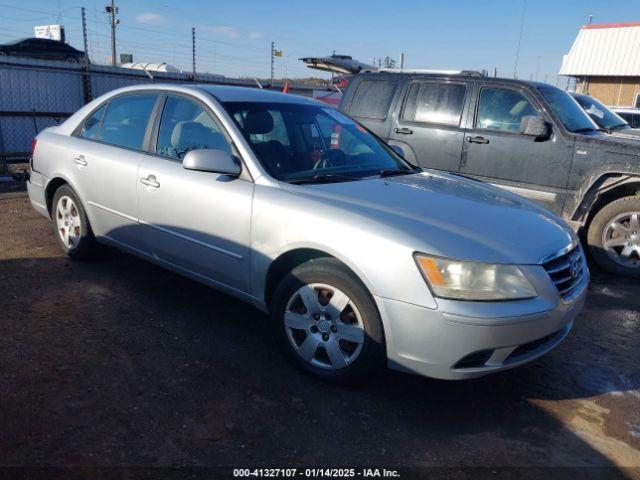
pixel 449 215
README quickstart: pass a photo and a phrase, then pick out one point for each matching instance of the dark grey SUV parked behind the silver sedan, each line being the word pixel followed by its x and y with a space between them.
pixel 527 137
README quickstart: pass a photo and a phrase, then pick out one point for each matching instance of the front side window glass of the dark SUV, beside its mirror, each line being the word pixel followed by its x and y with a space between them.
pixel 502 109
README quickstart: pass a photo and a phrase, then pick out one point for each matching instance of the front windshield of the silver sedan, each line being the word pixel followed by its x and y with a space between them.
pixel 301 143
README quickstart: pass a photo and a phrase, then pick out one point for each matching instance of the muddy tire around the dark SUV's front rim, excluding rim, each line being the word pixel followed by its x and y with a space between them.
pixel 597 229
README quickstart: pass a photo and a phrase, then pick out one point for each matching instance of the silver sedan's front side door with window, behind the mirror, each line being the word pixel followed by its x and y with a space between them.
pixel 196 221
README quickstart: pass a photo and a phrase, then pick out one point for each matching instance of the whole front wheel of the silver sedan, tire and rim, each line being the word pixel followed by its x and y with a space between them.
pixel 327 322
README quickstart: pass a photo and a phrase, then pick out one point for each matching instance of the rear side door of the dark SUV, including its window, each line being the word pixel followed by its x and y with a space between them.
pixel 429 126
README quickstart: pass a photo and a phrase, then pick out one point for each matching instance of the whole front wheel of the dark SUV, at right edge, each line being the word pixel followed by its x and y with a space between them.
pixel 614 237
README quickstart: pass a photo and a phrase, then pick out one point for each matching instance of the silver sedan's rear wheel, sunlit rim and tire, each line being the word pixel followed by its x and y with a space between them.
pixel 70 223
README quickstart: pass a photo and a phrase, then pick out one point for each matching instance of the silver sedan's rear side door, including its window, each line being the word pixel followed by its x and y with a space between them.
pixel 105 153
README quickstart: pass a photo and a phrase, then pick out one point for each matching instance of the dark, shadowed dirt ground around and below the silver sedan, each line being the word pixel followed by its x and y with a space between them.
pixel 119 363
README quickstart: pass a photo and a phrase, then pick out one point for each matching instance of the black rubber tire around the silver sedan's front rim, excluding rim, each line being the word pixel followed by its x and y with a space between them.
pixel 331 272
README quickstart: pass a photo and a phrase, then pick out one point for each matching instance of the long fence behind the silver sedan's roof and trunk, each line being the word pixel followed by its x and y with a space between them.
pixel 36 94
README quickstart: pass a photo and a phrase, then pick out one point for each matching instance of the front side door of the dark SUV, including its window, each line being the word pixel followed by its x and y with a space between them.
pixel 497 152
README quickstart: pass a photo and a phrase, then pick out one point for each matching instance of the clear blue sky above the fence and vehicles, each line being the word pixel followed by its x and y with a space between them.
pixel 233 37
